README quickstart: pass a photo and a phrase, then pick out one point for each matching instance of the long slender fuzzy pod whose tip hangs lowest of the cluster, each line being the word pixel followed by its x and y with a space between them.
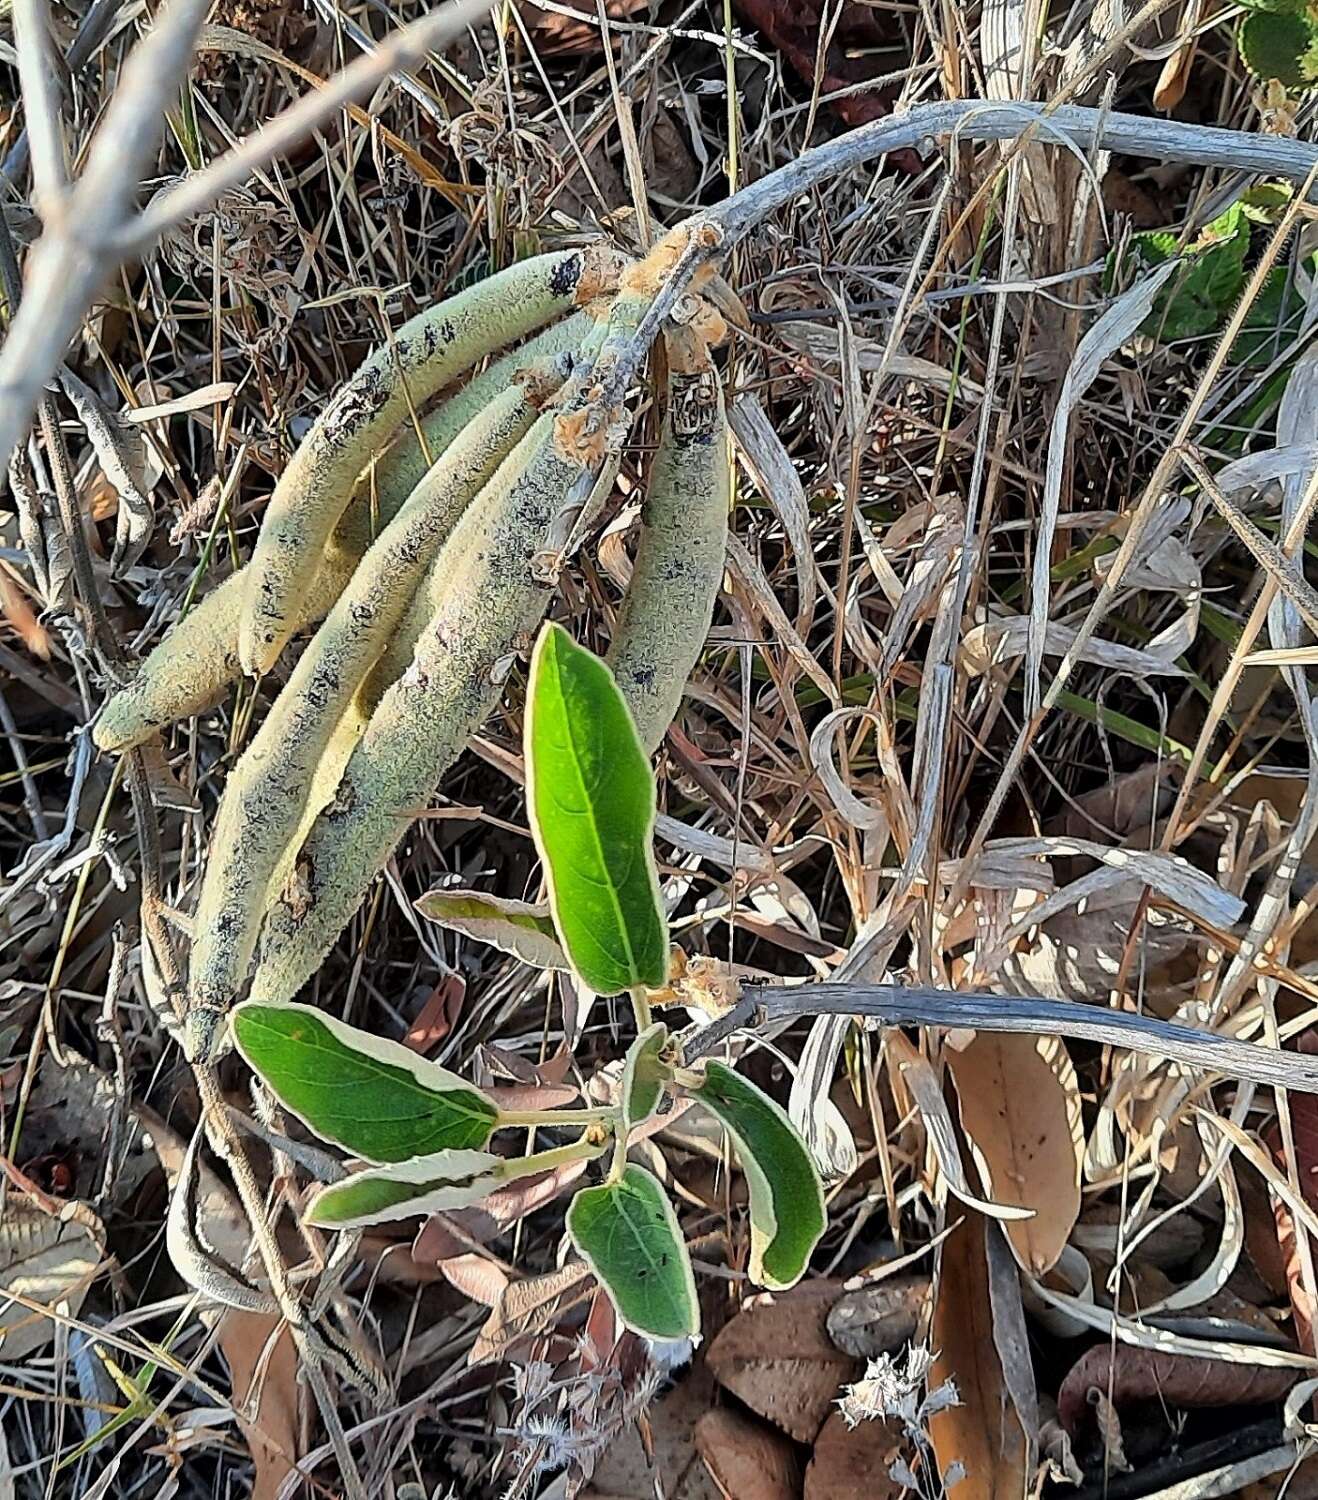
pixel 265 800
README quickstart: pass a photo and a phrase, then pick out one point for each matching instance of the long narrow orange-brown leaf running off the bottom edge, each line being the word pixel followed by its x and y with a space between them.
pixel 983 1435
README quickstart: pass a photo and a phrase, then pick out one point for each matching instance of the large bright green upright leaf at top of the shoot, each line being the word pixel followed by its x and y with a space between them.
pixel 592 800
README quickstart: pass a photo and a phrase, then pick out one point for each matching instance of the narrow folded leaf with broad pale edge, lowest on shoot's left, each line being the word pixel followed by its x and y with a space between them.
pixel 451 1180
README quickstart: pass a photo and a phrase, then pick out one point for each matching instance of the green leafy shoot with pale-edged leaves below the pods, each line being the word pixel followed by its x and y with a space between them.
pixel 425 1133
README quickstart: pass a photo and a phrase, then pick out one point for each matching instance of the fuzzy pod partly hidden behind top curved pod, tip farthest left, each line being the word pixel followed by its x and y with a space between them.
pixel 193 668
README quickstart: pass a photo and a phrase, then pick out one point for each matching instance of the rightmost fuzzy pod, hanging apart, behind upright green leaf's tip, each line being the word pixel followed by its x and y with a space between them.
pixel 665 617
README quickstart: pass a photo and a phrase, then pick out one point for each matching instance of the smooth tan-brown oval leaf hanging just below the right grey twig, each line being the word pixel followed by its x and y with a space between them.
pixel 1020 1111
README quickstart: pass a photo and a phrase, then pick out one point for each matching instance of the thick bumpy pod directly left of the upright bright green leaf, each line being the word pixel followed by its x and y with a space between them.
pixel 496 596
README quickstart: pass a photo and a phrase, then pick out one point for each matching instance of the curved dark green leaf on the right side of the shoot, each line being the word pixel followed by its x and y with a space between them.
pixel 788 1214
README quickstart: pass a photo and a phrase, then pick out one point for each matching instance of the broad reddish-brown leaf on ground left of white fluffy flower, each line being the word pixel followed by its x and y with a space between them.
pixel 777 1358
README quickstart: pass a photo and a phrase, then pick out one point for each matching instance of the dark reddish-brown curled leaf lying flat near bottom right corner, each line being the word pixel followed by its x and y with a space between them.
pixel 1127 1375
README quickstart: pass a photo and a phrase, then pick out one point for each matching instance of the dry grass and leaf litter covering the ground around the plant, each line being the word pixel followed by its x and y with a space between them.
pixel 948 421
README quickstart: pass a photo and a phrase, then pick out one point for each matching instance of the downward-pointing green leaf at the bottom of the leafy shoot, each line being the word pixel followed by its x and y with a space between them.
pixel 629 1235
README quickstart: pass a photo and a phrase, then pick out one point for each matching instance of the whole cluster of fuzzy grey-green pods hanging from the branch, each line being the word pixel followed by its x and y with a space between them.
pixel 428 553
